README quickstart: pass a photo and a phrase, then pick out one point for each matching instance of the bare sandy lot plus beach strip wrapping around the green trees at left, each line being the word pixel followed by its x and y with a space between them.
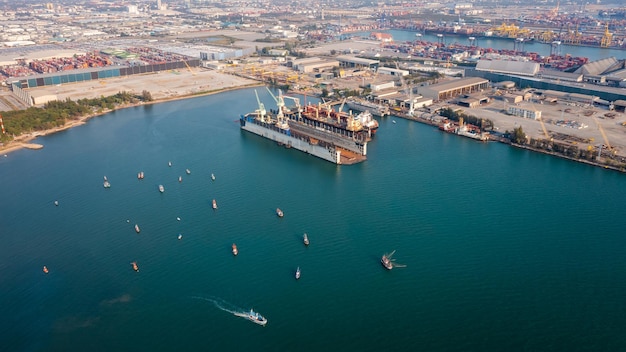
pixel 168 88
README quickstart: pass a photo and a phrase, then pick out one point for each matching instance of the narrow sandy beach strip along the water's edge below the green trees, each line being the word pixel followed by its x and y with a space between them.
pixel 24 140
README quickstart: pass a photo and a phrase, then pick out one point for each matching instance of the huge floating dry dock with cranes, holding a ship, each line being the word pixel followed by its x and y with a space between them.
pixel 340 138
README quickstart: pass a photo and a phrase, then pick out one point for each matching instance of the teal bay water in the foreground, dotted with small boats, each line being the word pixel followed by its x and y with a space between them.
pixel 505 249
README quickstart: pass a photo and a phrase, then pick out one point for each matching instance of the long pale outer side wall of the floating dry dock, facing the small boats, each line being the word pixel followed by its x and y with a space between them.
pixel 329 154
